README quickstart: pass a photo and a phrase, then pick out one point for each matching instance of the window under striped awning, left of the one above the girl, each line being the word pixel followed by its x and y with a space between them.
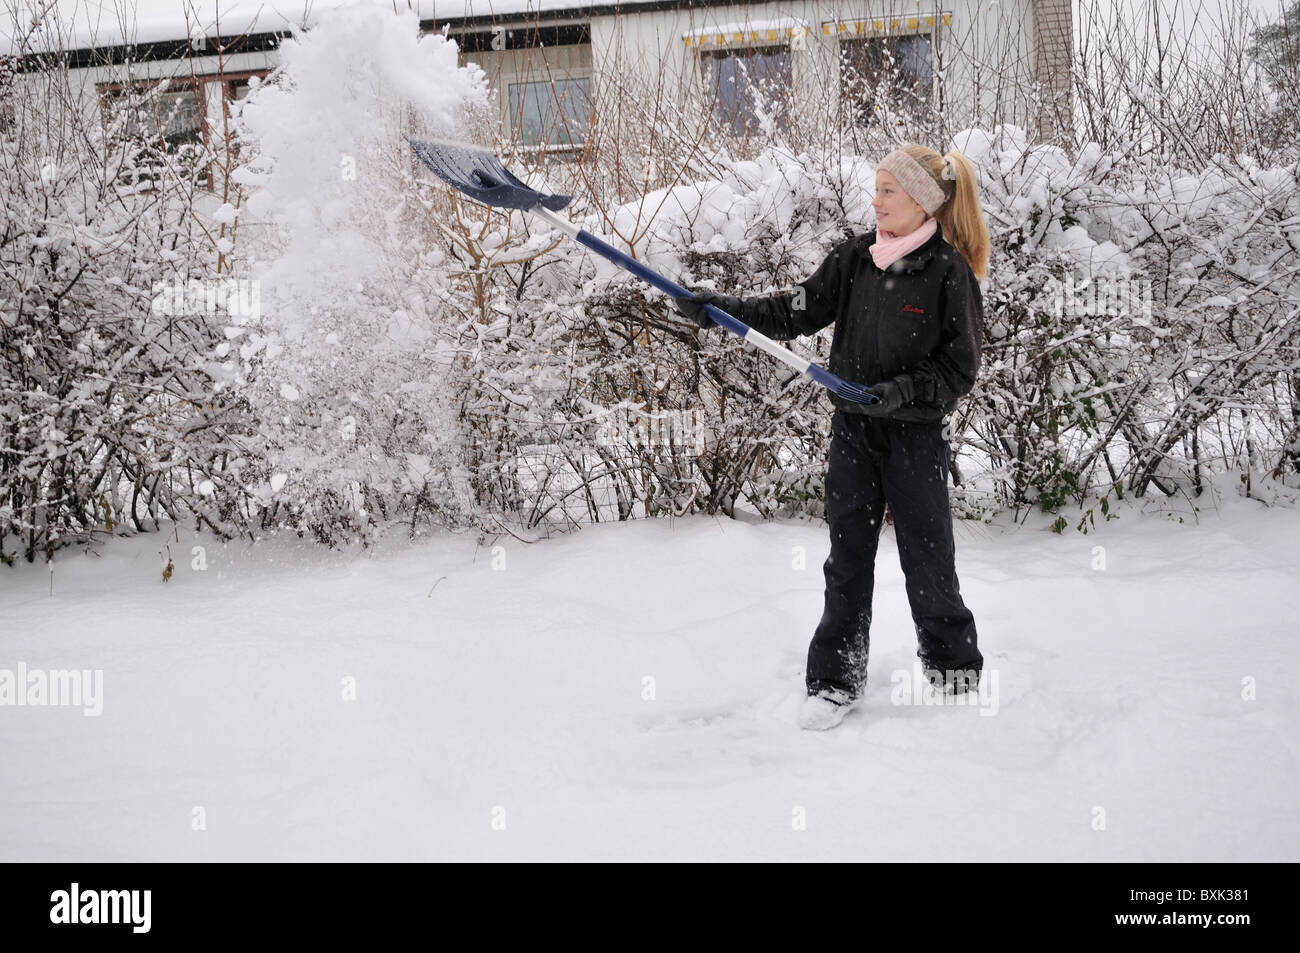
pixel 743 84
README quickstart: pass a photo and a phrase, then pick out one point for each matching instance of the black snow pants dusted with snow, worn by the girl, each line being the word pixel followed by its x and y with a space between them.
pixel 874 462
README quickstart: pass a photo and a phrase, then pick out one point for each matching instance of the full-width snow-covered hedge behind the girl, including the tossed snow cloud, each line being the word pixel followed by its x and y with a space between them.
pixel 402 356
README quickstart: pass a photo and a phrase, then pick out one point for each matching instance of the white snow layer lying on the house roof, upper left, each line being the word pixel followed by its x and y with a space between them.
pixel 89 24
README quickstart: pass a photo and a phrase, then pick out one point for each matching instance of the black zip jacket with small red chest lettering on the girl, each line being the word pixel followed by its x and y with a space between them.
pixel 920 323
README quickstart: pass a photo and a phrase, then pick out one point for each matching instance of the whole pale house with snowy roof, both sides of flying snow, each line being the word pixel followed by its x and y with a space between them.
pixel 999 60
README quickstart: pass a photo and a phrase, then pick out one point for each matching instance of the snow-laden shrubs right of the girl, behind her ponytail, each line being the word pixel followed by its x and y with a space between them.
pixel 1184 363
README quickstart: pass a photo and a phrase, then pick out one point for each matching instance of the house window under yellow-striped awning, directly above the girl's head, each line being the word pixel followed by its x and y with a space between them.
pixel 892 72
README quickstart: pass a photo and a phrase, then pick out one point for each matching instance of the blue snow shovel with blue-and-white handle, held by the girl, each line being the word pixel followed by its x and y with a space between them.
pixel 479 174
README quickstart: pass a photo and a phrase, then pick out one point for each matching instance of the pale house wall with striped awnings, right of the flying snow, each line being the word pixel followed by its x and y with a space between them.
pixel 1006 62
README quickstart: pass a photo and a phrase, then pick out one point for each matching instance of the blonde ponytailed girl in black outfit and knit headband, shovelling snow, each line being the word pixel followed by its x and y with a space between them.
pixel 908 314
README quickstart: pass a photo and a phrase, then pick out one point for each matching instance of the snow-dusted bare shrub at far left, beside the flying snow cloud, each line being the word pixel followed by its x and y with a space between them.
pixel 109 417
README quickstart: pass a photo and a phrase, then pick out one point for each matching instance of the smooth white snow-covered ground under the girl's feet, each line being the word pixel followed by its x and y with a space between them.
pixel 630 692
